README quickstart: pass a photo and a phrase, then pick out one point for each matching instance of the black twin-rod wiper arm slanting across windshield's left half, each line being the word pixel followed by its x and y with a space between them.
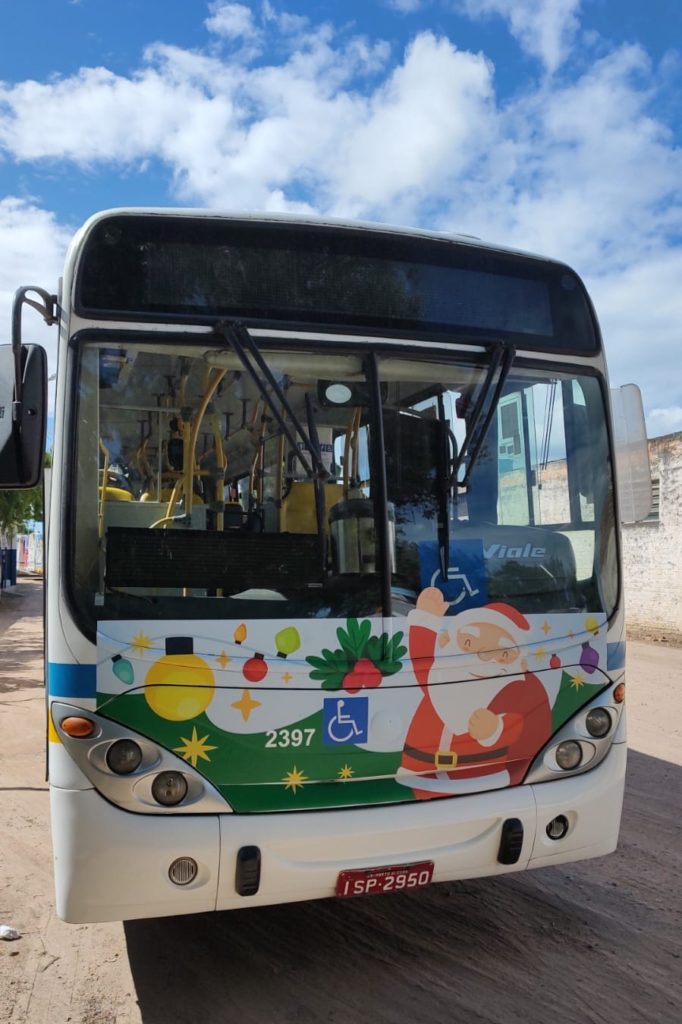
pixel 237 334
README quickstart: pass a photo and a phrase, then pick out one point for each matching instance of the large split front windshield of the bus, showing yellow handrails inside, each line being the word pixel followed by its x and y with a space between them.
pixel 196 494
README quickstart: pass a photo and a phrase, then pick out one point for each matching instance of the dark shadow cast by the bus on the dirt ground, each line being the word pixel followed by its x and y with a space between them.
pixel 483 949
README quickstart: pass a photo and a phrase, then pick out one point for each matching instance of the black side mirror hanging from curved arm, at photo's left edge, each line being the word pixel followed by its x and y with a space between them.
pixel 23 422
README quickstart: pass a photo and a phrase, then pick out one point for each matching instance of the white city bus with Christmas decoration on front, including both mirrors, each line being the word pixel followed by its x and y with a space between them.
pixel 334 589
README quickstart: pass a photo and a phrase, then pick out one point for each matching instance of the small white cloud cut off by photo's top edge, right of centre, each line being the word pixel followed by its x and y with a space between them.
pixel 544 28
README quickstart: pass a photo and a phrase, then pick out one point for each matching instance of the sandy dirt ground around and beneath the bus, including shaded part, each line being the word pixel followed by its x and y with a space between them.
pixel 600 942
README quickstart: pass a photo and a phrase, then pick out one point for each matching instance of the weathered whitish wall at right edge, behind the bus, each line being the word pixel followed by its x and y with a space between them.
pixel 653 551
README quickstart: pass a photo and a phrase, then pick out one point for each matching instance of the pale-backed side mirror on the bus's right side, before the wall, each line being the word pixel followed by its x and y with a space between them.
pixel 632 454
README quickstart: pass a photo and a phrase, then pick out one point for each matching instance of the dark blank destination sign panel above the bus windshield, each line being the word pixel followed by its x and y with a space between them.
pixel 142 268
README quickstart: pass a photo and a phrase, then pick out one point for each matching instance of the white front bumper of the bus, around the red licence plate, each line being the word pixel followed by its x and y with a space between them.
pixel 113 866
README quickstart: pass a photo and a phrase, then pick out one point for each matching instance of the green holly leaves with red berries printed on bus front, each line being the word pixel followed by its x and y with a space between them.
pixel 361 661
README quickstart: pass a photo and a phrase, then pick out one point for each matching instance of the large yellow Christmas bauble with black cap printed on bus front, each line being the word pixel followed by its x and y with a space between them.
pixel 181 686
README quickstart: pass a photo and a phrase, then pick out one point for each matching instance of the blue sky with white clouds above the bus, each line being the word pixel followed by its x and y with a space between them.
pixel 553 126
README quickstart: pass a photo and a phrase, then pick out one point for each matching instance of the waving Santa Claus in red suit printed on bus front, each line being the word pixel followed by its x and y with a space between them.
pixel 484 716
